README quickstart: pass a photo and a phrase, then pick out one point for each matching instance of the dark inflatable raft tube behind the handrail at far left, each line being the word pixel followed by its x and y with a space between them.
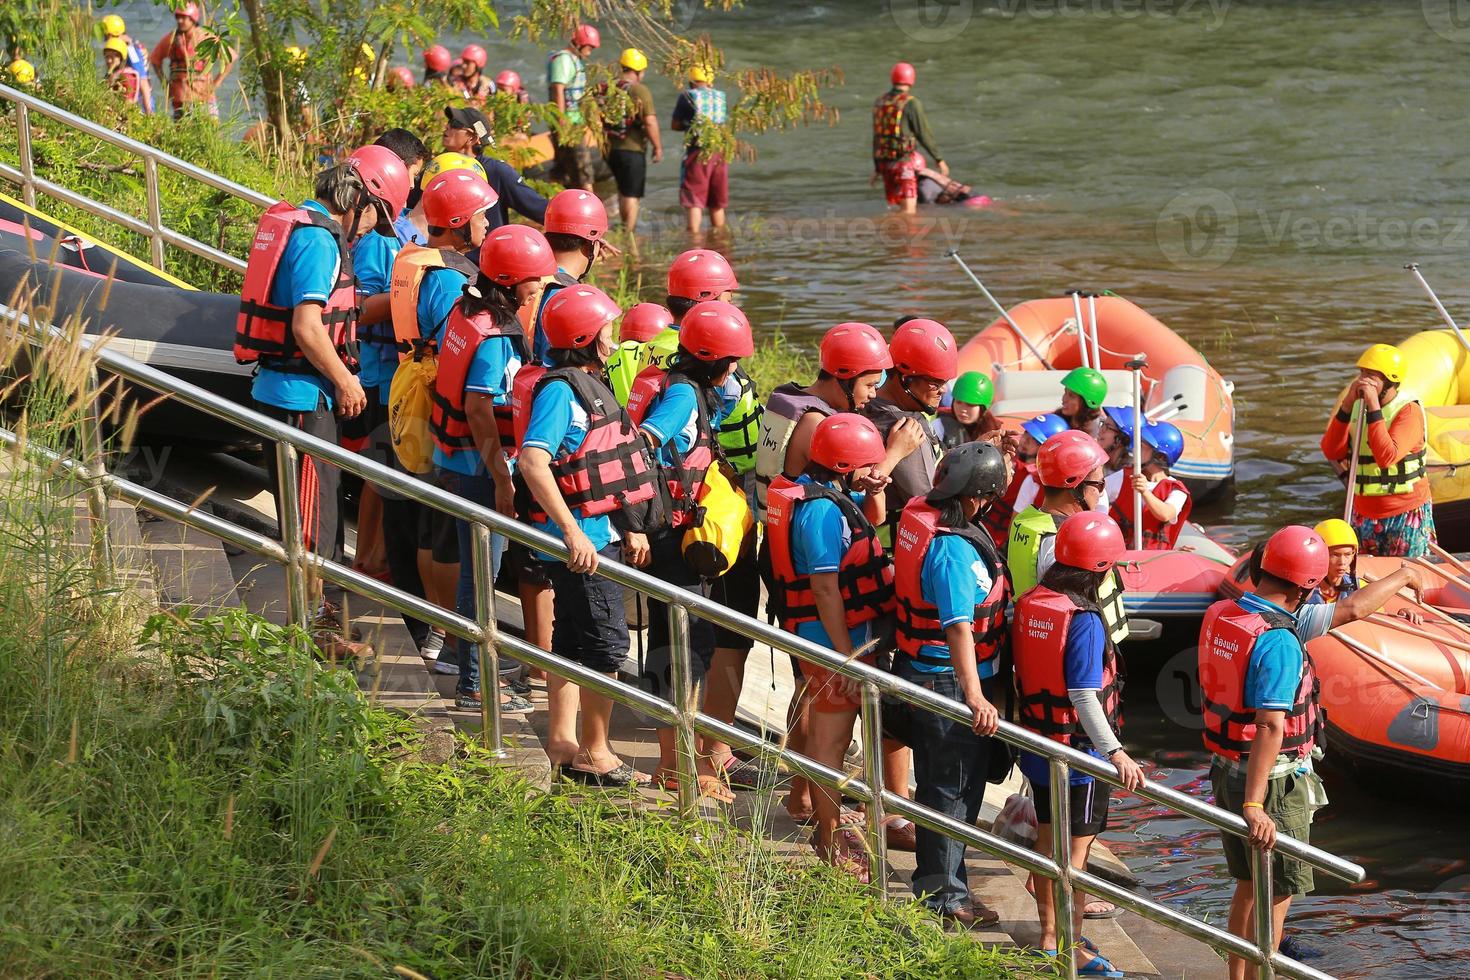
pixel 186 333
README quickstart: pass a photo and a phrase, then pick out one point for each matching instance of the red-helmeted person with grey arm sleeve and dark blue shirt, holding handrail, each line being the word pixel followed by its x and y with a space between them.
pixel 1068 680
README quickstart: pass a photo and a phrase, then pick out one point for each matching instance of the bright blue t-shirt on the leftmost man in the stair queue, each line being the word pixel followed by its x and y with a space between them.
pixel 306 274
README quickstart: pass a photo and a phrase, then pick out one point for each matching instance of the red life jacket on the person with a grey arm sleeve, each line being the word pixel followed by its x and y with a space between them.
pixel 1040 641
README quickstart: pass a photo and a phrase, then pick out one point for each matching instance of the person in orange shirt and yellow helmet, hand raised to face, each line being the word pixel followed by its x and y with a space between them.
pixel 1393 512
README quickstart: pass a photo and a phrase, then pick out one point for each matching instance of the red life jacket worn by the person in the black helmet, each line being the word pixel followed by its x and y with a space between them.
pixel 919 621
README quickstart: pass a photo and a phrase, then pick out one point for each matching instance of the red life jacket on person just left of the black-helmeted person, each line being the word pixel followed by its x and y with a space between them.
pixel 865 575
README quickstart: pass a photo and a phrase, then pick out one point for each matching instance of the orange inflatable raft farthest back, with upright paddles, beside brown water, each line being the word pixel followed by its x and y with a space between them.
pixel 1180 386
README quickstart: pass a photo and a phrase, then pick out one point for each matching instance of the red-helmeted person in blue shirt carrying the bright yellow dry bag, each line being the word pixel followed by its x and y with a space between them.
pixel 680 415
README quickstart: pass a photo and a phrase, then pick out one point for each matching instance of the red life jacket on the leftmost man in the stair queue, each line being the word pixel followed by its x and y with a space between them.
pixel 264 330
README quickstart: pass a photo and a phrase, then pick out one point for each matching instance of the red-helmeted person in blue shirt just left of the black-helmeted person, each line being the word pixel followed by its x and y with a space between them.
pixel 833 581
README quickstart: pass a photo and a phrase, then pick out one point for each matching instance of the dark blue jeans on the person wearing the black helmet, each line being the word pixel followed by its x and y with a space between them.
pixel 950 769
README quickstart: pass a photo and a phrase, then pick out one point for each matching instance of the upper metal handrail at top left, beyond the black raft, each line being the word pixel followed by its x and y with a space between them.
pixel 154 228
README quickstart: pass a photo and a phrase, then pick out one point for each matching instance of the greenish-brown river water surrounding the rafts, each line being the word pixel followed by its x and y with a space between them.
pixel 1255 174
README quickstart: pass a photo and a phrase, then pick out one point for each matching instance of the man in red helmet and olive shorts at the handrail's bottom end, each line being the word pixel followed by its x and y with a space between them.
pixel 1261 722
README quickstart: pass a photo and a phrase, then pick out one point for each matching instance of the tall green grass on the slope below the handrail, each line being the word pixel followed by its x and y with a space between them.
pixel 204 797
